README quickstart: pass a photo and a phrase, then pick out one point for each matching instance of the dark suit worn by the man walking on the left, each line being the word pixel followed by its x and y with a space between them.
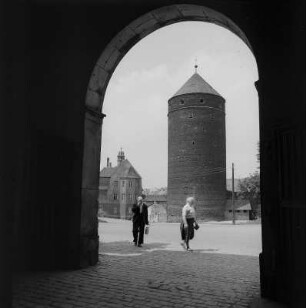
pixel 139 222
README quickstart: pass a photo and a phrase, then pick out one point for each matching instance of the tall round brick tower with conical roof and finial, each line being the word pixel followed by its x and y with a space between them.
pixel 196 150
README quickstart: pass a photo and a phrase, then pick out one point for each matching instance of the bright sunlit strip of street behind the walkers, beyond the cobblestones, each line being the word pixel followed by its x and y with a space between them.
pixel 217 237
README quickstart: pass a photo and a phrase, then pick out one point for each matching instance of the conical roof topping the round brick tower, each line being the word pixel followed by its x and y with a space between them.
pixel 196 84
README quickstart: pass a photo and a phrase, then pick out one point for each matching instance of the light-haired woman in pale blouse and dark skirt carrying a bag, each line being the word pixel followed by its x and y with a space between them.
pixel 189 223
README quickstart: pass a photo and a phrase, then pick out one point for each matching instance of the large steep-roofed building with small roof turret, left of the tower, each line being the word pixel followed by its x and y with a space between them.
pixel 119 187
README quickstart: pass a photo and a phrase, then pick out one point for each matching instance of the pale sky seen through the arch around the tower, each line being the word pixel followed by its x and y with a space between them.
pixel 136 100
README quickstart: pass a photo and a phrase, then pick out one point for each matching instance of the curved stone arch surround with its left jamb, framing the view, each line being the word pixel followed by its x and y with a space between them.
pixel 99 79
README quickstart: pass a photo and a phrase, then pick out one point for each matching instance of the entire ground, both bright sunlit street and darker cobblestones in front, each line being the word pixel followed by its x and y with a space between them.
pixel 222 270
